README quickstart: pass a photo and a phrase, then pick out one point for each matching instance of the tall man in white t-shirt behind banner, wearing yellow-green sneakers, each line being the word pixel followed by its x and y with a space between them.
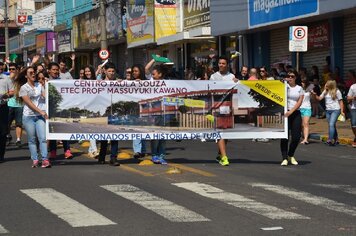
pixel 223 75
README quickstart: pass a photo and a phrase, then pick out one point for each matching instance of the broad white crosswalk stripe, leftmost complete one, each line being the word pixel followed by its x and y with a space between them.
pixel 69 210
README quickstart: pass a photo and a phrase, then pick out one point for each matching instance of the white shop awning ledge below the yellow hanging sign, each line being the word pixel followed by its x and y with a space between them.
pixel 193 34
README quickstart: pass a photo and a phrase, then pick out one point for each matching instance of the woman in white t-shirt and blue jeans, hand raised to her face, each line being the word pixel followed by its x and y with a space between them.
pixel 334 107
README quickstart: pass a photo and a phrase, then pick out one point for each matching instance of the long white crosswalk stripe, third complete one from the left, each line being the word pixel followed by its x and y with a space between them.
pixel 239 201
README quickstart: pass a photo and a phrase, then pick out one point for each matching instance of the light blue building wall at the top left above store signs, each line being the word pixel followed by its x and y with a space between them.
pixel 66 9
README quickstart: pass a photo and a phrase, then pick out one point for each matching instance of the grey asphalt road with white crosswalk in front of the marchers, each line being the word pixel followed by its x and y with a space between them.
pixel 80 197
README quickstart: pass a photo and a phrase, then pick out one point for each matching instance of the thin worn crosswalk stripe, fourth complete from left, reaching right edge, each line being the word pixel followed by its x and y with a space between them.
pixel 309 198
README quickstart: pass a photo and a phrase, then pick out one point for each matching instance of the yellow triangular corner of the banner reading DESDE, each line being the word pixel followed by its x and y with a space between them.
pixel 273 90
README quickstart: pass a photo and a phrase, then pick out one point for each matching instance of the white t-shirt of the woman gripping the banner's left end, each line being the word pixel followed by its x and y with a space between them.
pixel 35 95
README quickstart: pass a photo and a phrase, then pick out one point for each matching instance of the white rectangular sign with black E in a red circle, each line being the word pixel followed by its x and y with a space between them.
pixel 298 38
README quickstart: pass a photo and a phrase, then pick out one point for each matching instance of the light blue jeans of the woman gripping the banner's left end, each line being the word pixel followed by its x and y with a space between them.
pixel 36 126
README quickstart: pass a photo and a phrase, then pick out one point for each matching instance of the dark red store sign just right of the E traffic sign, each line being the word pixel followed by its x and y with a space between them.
pixel 318 36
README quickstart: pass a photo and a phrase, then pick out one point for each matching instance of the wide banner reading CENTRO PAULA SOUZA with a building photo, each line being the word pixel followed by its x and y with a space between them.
pixel 165 109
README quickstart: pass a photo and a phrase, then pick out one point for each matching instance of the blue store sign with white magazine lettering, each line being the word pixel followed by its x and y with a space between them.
pixel 263 12
